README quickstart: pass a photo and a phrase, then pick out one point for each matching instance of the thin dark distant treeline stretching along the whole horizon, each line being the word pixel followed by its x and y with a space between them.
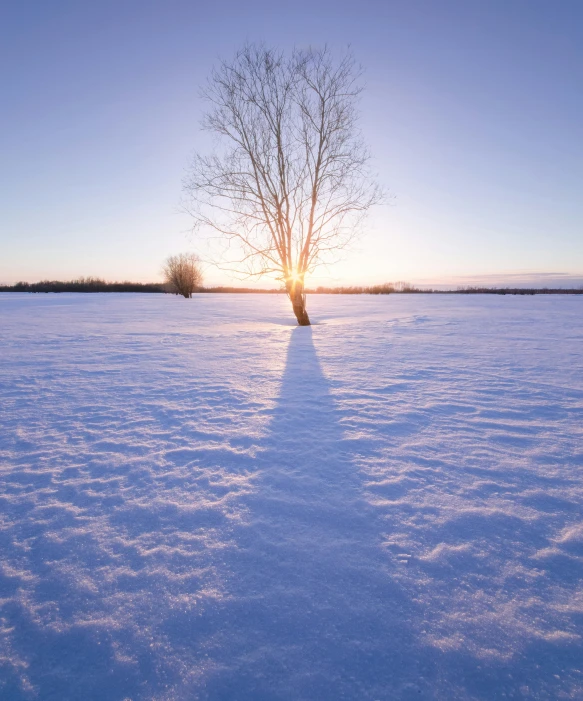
pixel 91 284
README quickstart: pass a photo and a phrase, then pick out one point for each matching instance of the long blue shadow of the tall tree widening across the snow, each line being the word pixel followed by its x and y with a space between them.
pixel 312 611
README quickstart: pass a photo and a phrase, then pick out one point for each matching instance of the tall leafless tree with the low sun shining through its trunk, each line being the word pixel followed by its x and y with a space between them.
pixel 290 182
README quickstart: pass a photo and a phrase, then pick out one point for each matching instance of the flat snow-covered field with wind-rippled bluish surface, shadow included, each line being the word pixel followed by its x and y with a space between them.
pixel 199 500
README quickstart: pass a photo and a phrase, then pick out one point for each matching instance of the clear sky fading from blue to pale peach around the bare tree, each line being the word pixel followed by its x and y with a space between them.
pixel 472 111
